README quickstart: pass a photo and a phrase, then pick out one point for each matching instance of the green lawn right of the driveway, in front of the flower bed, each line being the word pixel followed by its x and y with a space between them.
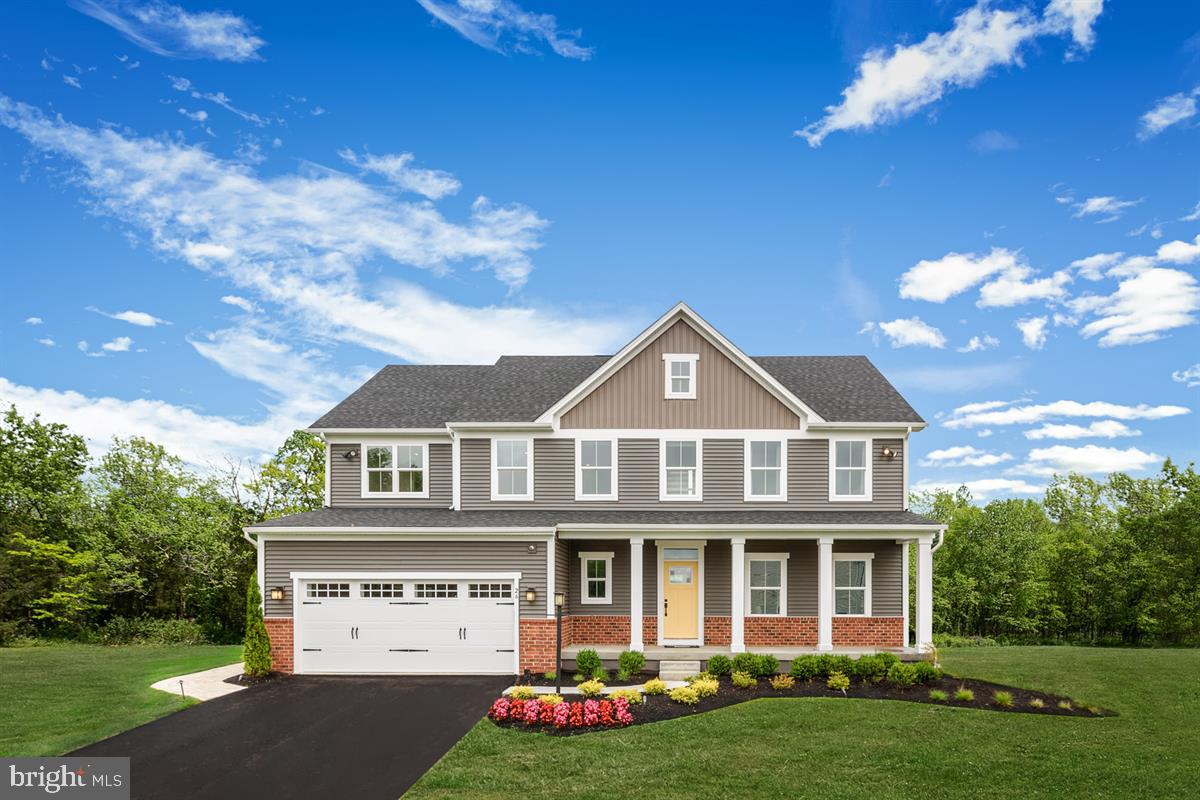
pixel 836 749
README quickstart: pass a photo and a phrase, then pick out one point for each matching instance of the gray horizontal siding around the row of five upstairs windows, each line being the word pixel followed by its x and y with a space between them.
pixel 638 478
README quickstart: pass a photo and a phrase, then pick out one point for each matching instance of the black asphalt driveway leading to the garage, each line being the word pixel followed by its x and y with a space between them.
pixel 304 737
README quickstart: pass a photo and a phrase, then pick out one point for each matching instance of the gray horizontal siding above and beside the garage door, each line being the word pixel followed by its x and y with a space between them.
pixel 352 558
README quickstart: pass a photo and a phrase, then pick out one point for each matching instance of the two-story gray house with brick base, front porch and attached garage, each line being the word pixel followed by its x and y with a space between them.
pixel 680 494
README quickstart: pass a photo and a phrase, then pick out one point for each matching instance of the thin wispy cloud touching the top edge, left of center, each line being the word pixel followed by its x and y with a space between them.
pixel 502 26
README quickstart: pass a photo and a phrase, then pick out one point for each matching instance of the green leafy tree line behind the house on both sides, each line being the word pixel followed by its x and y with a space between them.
pixel 136 536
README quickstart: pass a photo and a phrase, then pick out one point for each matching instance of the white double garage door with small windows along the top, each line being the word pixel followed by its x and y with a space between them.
pixel 421 627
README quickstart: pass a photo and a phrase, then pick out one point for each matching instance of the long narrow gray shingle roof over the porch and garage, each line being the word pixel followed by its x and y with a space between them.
pixel 350 518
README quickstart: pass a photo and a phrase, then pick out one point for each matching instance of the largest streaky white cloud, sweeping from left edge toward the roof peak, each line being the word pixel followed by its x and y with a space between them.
pixel 297 240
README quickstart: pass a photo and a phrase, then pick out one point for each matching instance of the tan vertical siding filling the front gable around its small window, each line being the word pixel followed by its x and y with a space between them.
pixel 727 398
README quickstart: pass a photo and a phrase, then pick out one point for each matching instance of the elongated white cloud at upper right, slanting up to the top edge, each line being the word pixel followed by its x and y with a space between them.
pixel 892 86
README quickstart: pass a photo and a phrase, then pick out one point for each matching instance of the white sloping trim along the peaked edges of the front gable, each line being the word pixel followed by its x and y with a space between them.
pixel 681 311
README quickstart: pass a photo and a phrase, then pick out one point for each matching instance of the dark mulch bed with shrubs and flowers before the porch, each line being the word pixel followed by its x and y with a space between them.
pixel 661 708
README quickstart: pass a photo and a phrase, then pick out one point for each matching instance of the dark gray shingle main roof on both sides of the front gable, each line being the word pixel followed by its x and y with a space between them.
pixel 520 389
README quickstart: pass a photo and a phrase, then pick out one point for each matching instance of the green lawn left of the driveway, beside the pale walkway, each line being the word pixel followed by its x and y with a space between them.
pixel 61 697
